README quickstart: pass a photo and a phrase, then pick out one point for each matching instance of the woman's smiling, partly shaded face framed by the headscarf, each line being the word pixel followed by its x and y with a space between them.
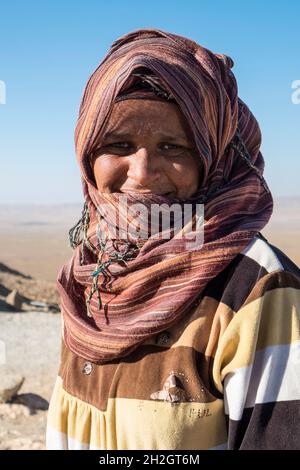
pixel 147 147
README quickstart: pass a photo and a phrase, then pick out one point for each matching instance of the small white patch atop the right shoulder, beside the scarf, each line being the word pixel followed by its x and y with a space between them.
pixel 262 253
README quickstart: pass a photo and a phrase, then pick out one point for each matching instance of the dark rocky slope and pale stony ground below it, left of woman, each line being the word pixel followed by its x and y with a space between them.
pixel 29 357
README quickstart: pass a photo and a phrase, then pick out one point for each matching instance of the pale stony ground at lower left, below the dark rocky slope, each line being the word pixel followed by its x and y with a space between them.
pixel 31 343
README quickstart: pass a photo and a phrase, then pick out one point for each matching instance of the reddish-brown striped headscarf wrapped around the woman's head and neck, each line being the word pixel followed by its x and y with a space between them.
pixel 113 297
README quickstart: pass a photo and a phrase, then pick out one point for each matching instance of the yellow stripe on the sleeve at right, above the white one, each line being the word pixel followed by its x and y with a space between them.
pixel 267 321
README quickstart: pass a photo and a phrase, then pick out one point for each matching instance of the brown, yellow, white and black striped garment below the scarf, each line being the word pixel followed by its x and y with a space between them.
pixel 227 376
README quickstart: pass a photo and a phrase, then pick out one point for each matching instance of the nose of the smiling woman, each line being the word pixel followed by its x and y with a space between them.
pixel 143 168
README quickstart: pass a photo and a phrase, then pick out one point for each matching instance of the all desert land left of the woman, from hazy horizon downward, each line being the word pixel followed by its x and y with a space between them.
pixel 34 245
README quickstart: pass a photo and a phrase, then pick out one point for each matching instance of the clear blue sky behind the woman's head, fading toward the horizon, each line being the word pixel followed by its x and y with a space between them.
pixel 48 49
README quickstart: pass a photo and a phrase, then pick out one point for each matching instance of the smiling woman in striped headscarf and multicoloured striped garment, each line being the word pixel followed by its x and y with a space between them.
pixel 169 344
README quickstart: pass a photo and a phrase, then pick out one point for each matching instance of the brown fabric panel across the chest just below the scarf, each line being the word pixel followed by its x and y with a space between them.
pixel 141 374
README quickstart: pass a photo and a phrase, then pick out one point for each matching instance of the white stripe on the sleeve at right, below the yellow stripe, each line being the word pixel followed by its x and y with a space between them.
pixel 274 376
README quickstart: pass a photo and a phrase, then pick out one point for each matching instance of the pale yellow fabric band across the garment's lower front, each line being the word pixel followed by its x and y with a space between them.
pixel 138 424
